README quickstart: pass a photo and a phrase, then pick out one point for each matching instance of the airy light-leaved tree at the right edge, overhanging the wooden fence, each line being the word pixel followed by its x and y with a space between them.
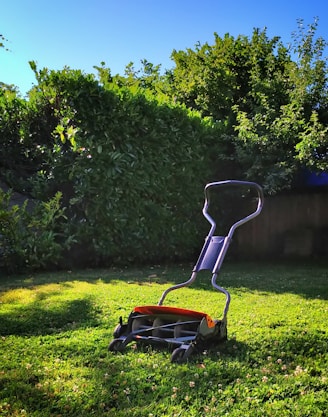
pixel 276 141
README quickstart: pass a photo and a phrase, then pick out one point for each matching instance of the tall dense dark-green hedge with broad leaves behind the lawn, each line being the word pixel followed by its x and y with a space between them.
pixel 131 170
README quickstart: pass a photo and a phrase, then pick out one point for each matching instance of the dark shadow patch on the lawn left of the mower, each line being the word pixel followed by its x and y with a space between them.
pixel 37 319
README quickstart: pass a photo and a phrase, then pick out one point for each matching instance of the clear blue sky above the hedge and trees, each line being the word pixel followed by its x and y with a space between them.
pixel 83 33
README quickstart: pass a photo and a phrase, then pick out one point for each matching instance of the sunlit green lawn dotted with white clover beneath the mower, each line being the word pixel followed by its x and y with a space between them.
pixel 55 328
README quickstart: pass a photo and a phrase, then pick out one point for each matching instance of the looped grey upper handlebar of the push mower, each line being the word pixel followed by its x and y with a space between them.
pixel 233 183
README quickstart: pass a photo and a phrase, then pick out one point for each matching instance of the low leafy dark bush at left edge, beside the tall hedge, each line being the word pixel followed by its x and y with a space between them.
pixel 31 239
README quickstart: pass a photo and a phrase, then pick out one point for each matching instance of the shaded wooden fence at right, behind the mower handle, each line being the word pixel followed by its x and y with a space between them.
pixel 289 226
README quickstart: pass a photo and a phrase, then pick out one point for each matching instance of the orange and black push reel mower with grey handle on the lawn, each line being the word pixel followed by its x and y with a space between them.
pixel 187 331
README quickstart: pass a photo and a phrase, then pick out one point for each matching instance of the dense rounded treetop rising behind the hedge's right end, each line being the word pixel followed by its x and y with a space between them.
pixel 214 78
